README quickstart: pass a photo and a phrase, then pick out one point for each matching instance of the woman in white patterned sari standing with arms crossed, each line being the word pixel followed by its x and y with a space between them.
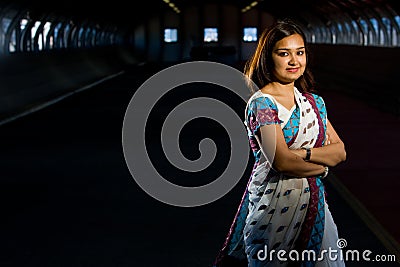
pixel 284 207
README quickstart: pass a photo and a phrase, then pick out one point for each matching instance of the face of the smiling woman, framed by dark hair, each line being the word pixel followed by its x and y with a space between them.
pixel 289 57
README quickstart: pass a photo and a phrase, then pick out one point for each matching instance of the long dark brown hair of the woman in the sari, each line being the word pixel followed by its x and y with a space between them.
pixel 259 67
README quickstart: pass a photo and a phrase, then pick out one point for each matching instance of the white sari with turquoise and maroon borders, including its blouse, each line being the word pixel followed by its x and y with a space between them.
pixel 276 212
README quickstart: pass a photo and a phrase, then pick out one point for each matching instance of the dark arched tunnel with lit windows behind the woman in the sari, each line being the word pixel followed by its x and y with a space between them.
pixel 71 73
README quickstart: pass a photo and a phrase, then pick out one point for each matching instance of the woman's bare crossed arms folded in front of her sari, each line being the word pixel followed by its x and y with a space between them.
pixel 291 162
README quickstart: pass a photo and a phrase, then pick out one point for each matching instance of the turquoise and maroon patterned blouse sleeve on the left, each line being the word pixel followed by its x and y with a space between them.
pixel 262 111
